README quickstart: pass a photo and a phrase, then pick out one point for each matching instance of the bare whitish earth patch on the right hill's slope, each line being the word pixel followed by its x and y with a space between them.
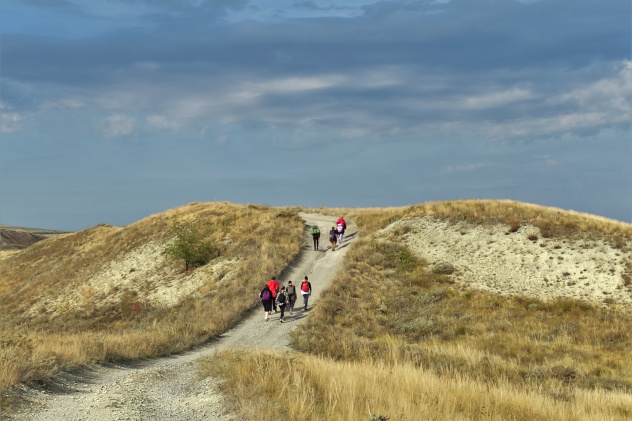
pixel 490 258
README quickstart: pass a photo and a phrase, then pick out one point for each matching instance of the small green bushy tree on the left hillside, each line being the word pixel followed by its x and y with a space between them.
pixel 189 245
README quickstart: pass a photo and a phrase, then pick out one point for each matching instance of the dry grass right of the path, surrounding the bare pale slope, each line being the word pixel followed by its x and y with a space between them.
pixel 392 338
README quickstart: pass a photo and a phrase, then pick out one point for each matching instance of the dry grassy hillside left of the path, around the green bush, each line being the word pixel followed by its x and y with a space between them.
pixel 109 293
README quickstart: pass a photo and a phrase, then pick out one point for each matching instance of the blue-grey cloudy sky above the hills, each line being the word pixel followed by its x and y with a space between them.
pixel 114 110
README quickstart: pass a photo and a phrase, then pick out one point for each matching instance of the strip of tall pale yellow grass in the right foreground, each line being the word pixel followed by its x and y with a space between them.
pixel 309 388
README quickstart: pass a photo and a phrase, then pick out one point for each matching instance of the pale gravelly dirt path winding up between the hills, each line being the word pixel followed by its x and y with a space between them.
pixel 167 388
